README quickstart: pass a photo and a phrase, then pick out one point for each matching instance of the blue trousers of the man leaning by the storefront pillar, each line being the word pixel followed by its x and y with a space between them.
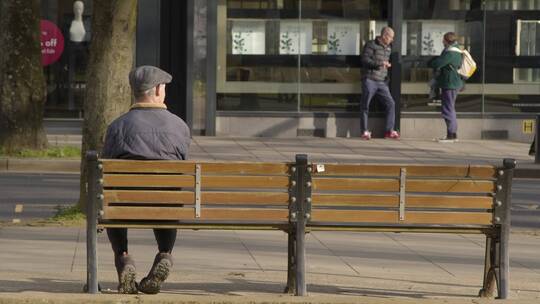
pixel 371 88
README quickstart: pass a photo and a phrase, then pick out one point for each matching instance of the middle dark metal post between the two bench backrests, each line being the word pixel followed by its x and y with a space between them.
pixel 301 167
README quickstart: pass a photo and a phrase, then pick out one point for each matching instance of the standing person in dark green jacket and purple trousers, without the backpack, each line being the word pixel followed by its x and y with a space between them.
pixel 449 81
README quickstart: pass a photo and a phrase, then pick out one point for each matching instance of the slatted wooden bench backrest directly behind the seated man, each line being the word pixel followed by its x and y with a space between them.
pixel 194 192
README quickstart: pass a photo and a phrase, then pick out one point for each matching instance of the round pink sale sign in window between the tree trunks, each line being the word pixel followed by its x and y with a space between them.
pixel 52 42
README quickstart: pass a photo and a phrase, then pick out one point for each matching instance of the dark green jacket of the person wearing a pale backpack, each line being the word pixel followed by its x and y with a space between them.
pixel 446 66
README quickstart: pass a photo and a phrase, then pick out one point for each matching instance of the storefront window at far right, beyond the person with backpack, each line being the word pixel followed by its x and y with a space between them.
pixel 512 56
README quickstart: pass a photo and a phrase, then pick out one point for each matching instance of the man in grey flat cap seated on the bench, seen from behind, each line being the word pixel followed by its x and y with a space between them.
pixel 147 131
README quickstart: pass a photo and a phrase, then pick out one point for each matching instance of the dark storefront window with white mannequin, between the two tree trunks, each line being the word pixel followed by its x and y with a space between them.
pixel 66 78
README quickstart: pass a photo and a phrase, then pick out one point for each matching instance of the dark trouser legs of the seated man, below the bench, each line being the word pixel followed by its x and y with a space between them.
pixel 118 237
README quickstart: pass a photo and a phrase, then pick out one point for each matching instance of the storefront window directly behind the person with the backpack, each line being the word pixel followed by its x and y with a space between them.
pixel 424 24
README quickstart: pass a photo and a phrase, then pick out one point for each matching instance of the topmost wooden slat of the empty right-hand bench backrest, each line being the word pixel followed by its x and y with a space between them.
pixel 480 172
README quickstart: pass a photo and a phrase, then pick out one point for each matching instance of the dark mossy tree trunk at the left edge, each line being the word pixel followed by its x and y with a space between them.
pixel 22 82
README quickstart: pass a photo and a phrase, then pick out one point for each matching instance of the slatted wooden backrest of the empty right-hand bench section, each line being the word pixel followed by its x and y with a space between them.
pixel 403 196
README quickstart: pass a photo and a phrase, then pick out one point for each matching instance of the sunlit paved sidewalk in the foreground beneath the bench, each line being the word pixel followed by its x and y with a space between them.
pixel 50 262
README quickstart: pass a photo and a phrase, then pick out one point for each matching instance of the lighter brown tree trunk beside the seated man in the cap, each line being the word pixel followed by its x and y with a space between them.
pixel 111 58
